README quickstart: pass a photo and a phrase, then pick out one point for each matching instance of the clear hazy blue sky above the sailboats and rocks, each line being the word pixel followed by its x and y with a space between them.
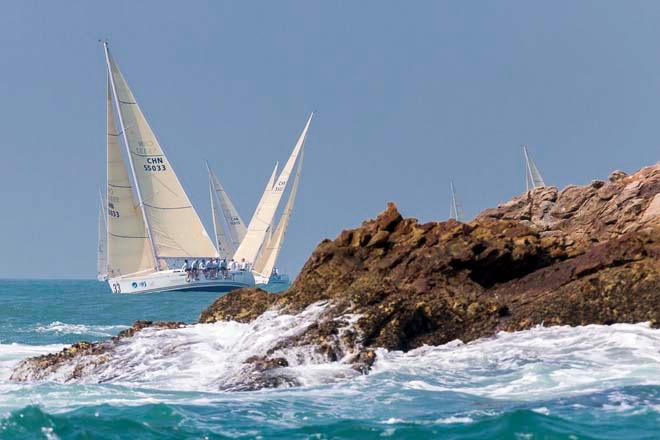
pixel 408 95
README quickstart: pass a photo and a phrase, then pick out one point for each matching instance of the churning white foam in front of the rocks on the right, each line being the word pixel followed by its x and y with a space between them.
pixel 535 364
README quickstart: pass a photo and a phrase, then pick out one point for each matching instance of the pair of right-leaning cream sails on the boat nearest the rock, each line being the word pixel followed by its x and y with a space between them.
pixel 255 244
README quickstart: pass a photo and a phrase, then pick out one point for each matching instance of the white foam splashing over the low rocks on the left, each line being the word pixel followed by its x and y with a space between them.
pixel 206 357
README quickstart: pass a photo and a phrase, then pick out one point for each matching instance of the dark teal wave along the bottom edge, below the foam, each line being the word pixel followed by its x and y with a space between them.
pixel 164 421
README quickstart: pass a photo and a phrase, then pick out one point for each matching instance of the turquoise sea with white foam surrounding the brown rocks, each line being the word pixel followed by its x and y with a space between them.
pixel 593 382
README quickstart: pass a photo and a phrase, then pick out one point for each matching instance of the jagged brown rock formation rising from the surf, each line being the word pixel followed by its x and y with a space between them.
pixel 583 255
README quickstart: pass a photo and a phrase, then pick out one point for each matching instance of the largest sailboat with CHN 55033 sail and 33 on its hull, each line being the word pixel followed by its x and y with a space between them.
pixel 151 225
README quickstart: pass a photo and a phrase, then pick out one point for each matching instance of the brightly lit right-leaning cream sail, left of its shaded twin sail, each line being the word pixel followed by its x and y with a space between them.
pixel 267 207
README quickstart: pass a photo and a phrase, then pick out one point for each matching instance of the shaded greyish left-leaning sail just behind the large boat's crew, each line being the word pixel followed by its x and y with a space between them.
pixel 227 214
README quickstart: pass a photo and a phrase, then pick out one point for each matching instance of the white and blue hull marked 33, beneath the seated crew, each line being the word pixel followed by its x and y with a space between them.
pixel 169 280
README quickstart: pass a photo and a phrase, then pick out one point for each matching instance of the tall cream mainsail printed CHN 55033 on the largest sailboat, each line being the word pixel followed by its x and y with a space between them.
pixel 172 223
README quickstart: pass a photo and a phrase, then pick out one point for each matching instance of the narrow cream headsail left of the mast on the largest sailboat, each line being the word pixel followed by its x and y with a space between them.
pixel 129 250
